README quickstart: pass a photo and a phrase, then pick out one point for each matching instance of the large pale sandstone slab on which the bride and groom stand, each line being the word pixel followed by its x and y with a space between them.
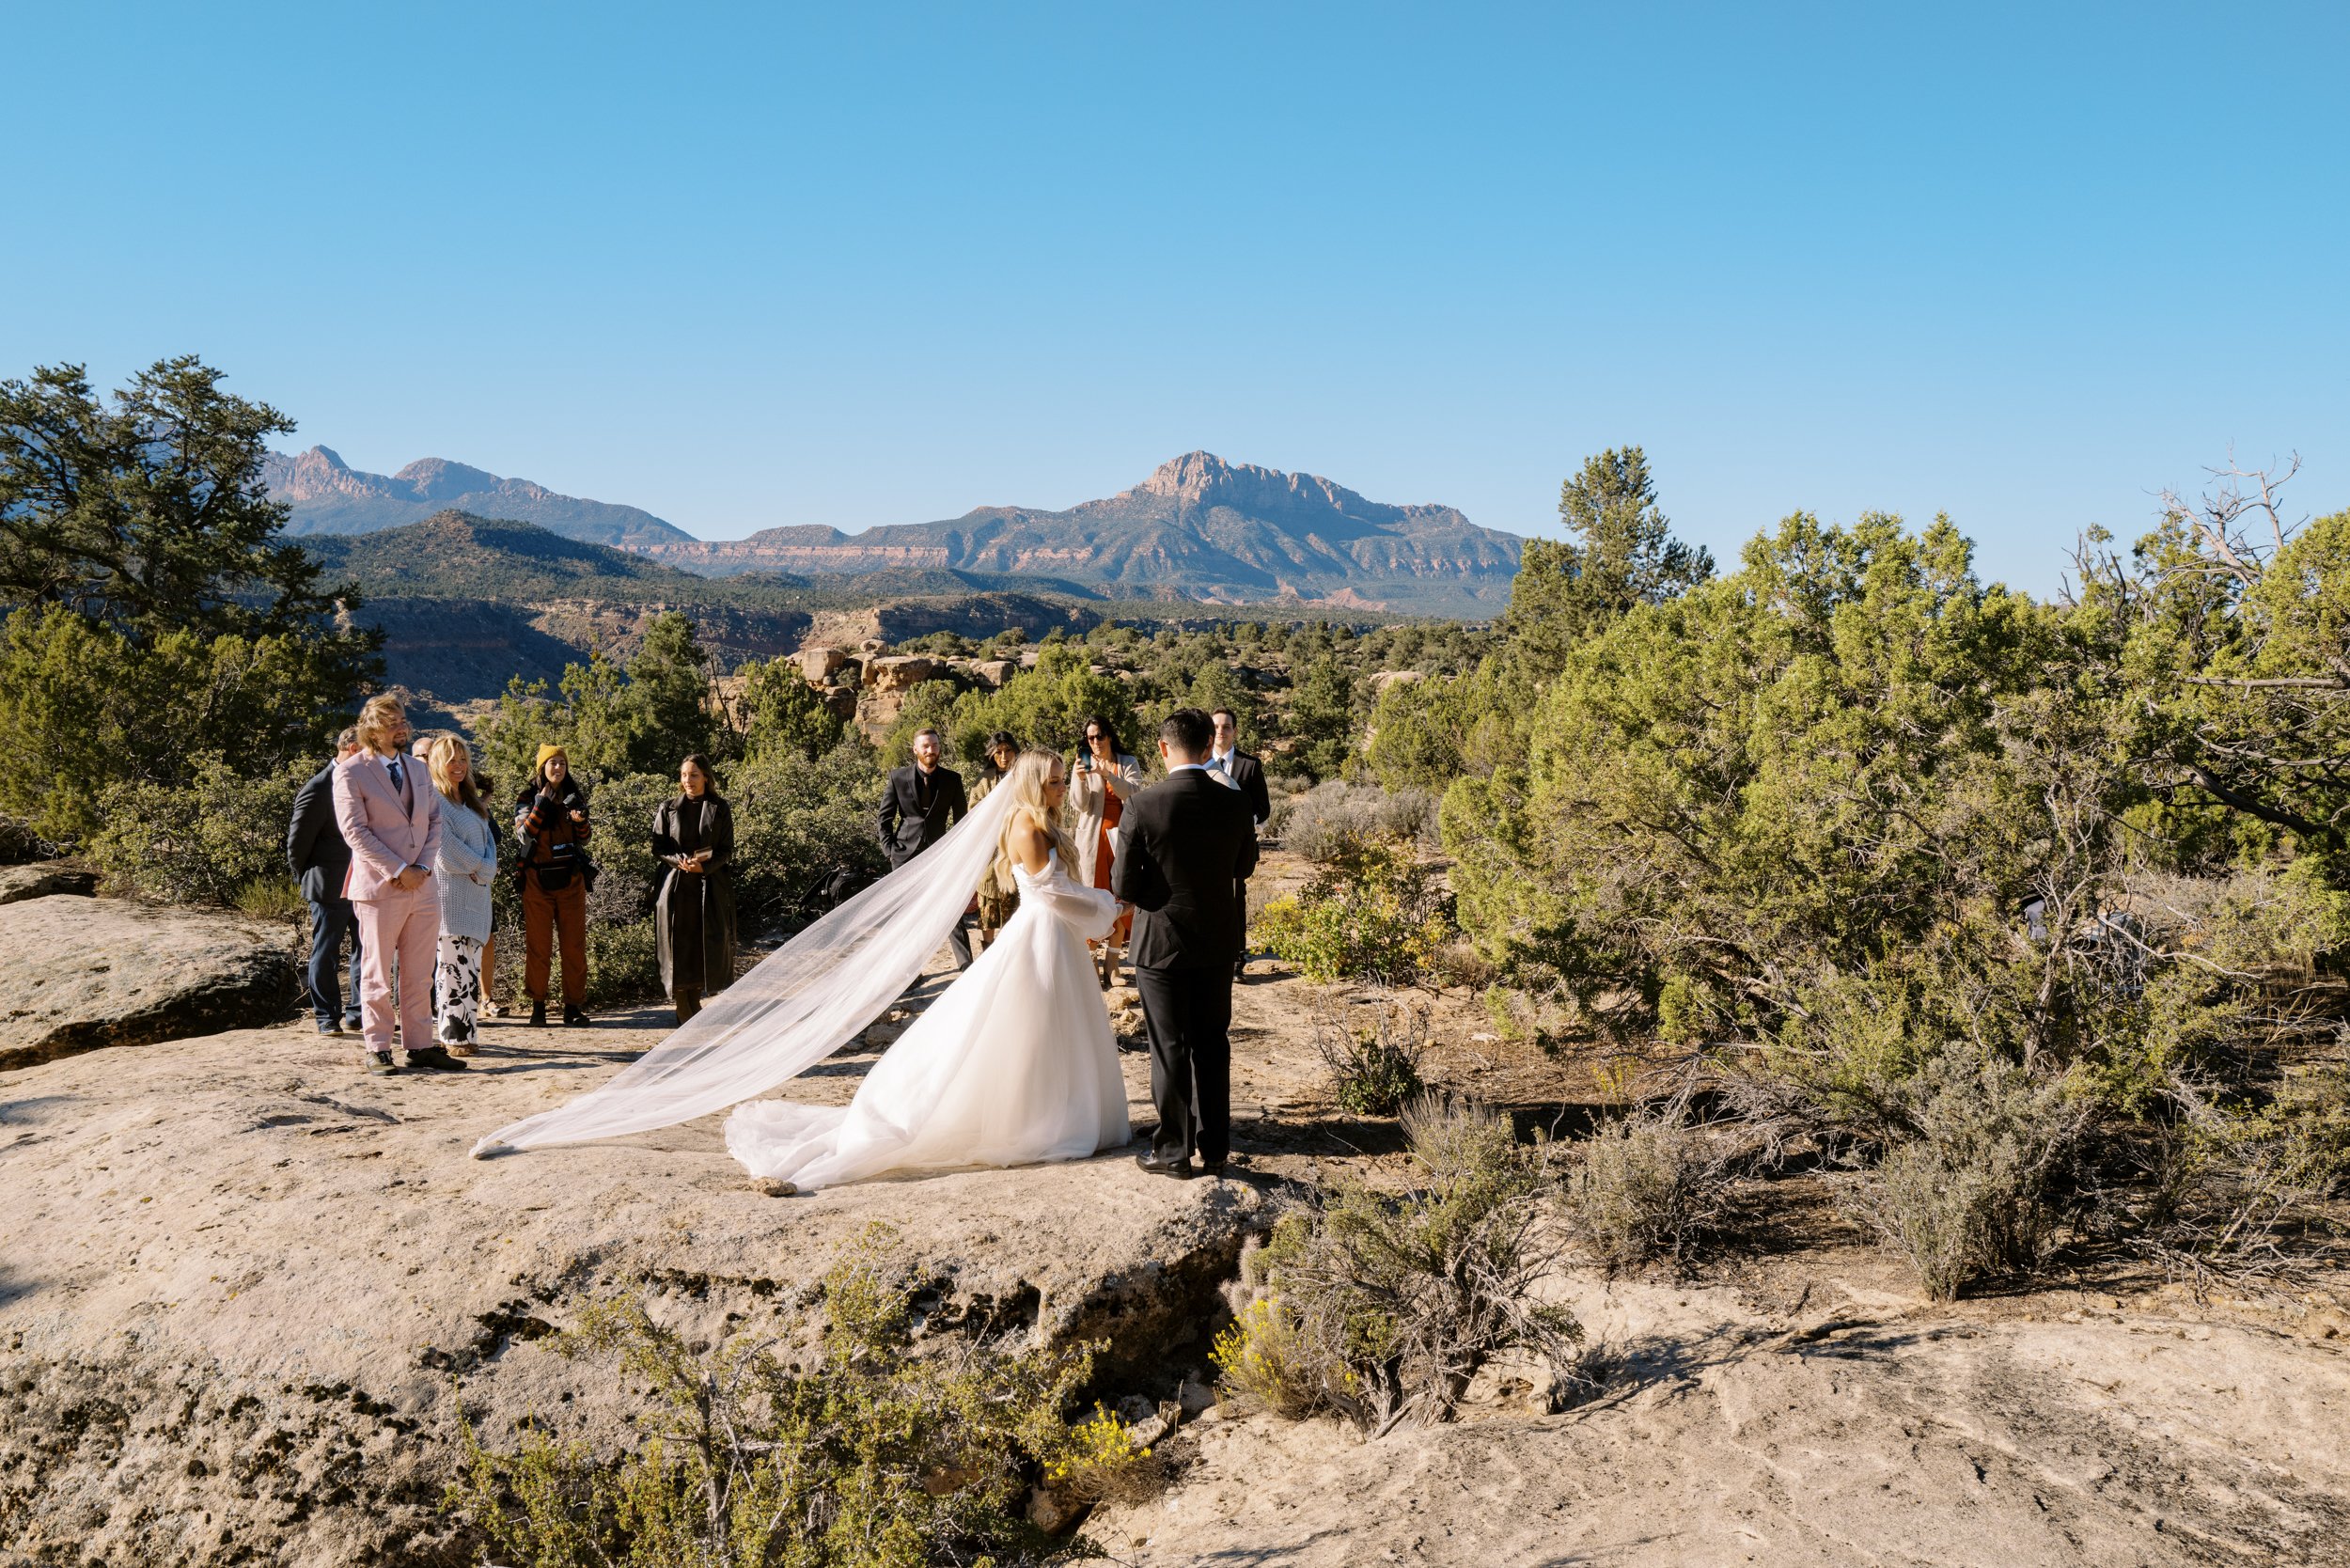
pixel 241 1282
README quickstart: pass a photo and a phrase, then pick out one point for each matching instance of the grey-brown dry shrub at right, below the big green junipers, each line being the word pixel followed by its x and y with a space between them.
pixel 1980 1170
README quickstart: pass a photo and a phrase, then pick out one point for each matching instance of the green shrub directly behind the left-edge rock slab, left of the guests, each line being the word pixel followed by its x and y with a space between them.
pixel 217 840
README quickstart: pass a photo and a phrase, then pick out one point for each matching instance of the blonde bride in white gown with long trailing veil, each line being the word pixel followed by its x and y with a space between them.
pixel 1014 1064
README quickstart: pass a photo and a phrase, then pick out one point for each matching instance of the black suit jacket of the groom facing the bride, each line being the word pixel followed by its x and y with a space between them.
pixel 1183 845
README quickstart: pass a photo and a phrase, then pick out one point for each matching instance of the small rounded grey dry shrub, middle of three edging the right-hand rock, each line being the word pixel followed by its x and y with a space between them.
pixel 1651 1188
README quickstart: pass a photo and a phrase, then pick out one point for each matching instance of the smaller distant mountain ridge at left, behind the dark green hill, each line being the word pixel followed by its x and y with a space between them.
pixel 333 497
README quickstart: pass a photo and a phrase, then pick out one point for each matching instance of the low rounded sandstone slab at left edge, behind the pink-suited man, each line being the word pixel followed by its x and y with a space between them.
pixel 100 972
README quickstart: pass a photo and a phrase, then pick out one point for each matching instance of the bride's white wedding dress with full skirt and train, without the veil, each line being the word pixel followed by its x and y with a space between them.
pixel 1012 1066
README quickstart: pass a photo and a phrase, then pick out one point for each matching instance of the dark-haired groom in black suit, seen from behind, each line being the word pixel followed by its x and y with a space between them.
pixel 1186 845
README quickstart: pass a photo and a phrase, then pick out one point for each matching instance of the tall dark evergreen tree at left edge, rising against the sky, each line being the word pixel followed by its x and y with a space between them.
pixel 154 619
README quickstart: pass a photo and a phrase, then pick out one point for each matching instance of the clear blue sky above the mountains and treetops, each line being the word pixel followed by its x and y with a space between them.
pixel 871 264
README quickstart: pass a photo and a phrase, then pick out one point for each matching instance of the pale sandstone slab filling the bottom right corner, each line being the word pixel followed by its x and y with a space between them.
pixel 1921 1440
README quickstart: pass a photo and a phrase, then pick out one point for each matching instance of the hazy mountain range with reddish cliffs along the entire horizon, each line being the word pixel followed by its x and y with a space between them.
pixel 1197 528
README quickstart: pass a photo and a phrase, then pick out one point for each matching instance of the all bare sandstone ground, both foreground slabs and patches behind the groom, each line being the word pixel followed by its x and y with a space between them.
pixel 243 1289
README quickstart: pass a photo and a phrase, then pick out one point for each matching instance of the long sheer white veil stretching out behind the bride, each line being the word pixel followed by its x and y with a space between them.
pixel 795 1010
